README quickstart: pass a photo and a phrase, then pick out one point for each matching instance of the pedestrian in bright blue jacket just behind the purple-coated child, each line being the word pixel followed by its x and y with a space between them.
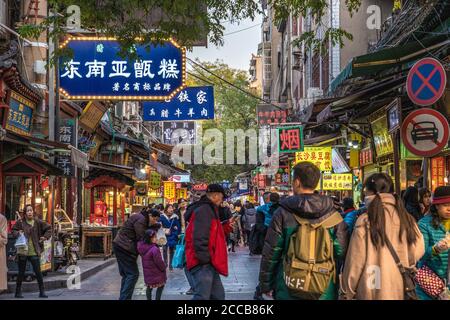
pixel 172 229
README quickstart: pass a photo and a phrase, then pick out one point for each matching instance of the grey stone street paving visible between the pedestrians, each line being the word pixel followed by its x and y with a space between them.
pixel 105 285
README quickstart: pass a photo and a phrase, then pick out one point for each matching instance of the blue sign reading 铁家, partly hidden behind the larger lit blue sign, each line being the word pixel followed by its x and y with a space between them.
pixel 192 103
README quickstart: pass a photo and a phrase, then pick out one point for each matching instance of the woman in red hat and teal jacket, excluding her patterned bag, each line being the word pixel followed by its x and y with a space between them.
pixel 435 229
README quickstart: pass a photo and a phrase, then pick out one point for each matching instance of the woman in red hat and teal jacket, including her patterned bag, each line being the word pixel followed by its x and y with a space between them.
pixel 433 277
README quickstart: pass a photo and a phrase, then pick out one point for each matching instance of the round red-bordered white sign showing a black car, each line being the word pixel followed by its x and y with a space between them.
pixel 425 132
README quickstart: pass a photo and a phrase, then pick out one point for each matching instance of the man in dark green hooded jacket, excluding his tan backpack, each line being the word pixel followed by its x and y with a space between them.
pixel 306 205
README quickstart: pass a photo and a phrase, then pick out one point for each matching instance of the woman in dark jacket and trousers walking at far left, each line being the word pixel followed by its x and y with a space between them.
pixel 36 232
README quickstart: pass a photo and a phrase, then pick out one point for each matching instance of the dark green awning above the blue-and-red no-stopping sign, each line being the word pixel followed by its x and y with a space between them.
pixel 372 63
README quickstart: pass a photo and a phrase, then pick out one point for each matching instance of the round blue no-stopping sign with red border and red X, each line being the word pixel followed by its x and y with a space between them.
pixel 426 82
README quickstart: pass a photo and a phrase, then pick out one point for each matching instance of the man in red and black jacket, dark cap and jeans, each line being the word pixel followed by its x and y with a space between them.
pixel 206 249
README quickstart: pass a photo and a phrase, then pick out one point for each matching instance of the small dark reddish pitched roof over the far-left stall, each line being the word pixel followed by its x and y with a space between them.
pixel 24 164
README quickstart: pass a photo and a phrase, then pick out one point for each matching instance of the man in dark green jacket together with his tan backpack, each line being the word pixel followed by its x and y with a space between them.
pixel 305 238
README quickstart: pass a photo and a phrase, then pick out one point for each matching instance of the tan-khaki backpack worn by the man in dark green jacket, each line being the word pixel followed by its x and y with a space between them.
pixel 309 263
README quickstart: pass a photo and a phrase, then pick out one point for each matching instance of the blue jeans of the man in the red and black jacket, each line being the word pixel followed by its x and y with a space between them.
pixel 207 283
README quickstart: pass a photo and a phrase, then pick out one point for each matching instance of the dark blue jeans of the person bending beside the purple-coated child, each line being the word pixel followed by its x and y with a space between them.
pixel 129 272
